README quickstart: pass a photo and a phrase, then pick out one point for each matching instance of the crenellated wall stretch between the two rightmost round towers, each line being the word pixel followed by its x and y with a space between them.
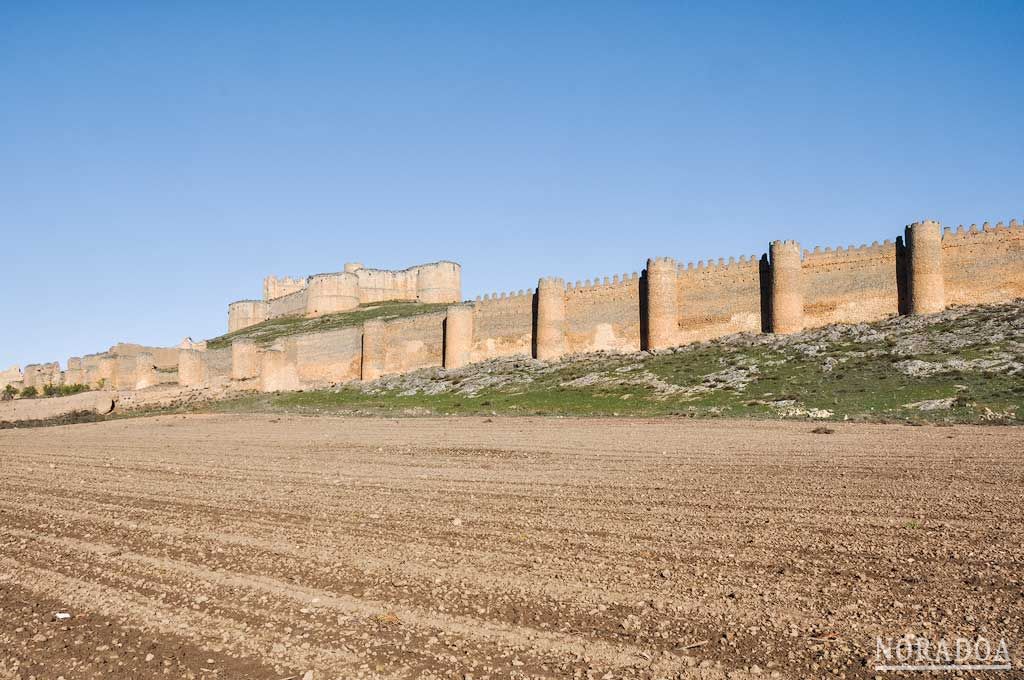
pixel 850 285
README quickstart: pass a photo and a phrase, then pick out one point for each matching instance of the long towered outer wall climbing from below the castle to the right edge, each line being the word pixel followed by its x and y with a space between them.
pixel 786 290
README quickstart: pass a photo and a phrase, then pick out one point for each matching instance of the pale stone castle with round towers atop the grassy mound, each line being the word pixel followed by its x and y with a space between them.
pixel 344 291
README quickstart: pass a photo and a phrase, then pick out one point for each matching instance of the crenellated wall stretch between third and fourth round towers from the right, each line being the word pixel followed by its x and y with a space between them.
pixel 604 315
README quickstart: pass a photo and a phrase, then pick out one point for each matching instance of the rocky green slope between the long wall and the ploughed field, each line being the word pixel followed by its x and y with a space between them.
pixel 842 372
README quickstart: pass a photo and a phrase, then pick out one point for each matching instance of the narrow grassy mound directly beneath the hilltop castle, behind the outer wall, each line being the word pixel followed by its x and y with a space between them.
pixel 269 331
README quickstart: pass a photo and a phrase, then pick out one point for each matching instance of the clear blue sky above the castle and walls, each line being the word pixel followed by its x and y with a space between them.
pixel 158 160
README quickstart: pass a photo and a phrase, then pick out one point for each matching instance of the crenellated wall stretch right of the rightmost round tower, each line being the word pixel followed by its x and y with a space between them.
pixel 982 266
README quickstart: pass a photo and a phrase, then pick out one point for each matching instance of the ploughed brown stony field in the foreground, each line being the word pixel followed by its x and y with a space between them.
pixel 268 547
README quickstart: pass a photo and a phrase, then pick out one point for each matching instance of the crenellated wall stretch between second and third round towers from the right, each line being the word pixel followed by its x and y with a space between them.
pixel 719 299
